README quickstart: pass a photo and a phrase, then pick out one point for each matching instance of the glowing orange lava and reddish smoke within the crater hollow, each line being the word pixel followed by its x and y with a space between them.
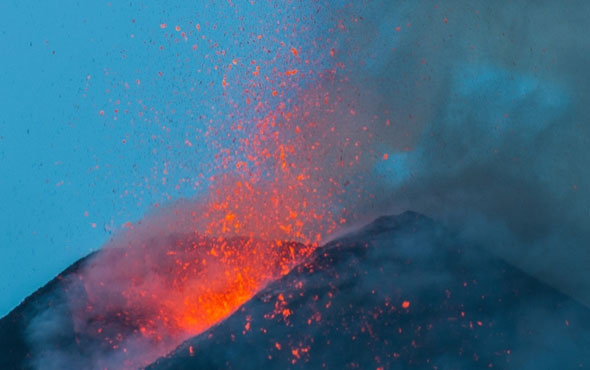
pixel 152 295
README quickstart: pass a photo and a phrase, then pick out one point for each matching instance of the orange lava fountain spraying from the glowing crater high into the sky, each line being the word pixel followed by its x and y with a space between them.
pixel 288 165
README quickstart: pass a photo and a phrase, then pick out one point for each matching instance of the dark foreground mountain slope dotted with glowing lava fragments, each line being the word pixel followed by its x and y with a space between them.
pixel 400 293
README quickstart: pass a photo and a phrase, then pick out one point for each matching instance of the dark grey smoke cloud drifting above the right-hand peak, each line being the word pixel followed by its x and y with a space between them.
pixel 490 123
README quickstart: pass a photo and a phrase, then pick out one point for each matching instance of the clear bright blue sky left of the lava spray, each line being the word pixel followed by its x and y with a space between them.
pixel 98 103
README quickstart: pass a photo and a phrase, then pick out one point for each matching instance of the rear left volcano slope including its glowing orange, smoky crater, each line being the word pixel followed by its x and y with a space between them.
pixel 123 307
